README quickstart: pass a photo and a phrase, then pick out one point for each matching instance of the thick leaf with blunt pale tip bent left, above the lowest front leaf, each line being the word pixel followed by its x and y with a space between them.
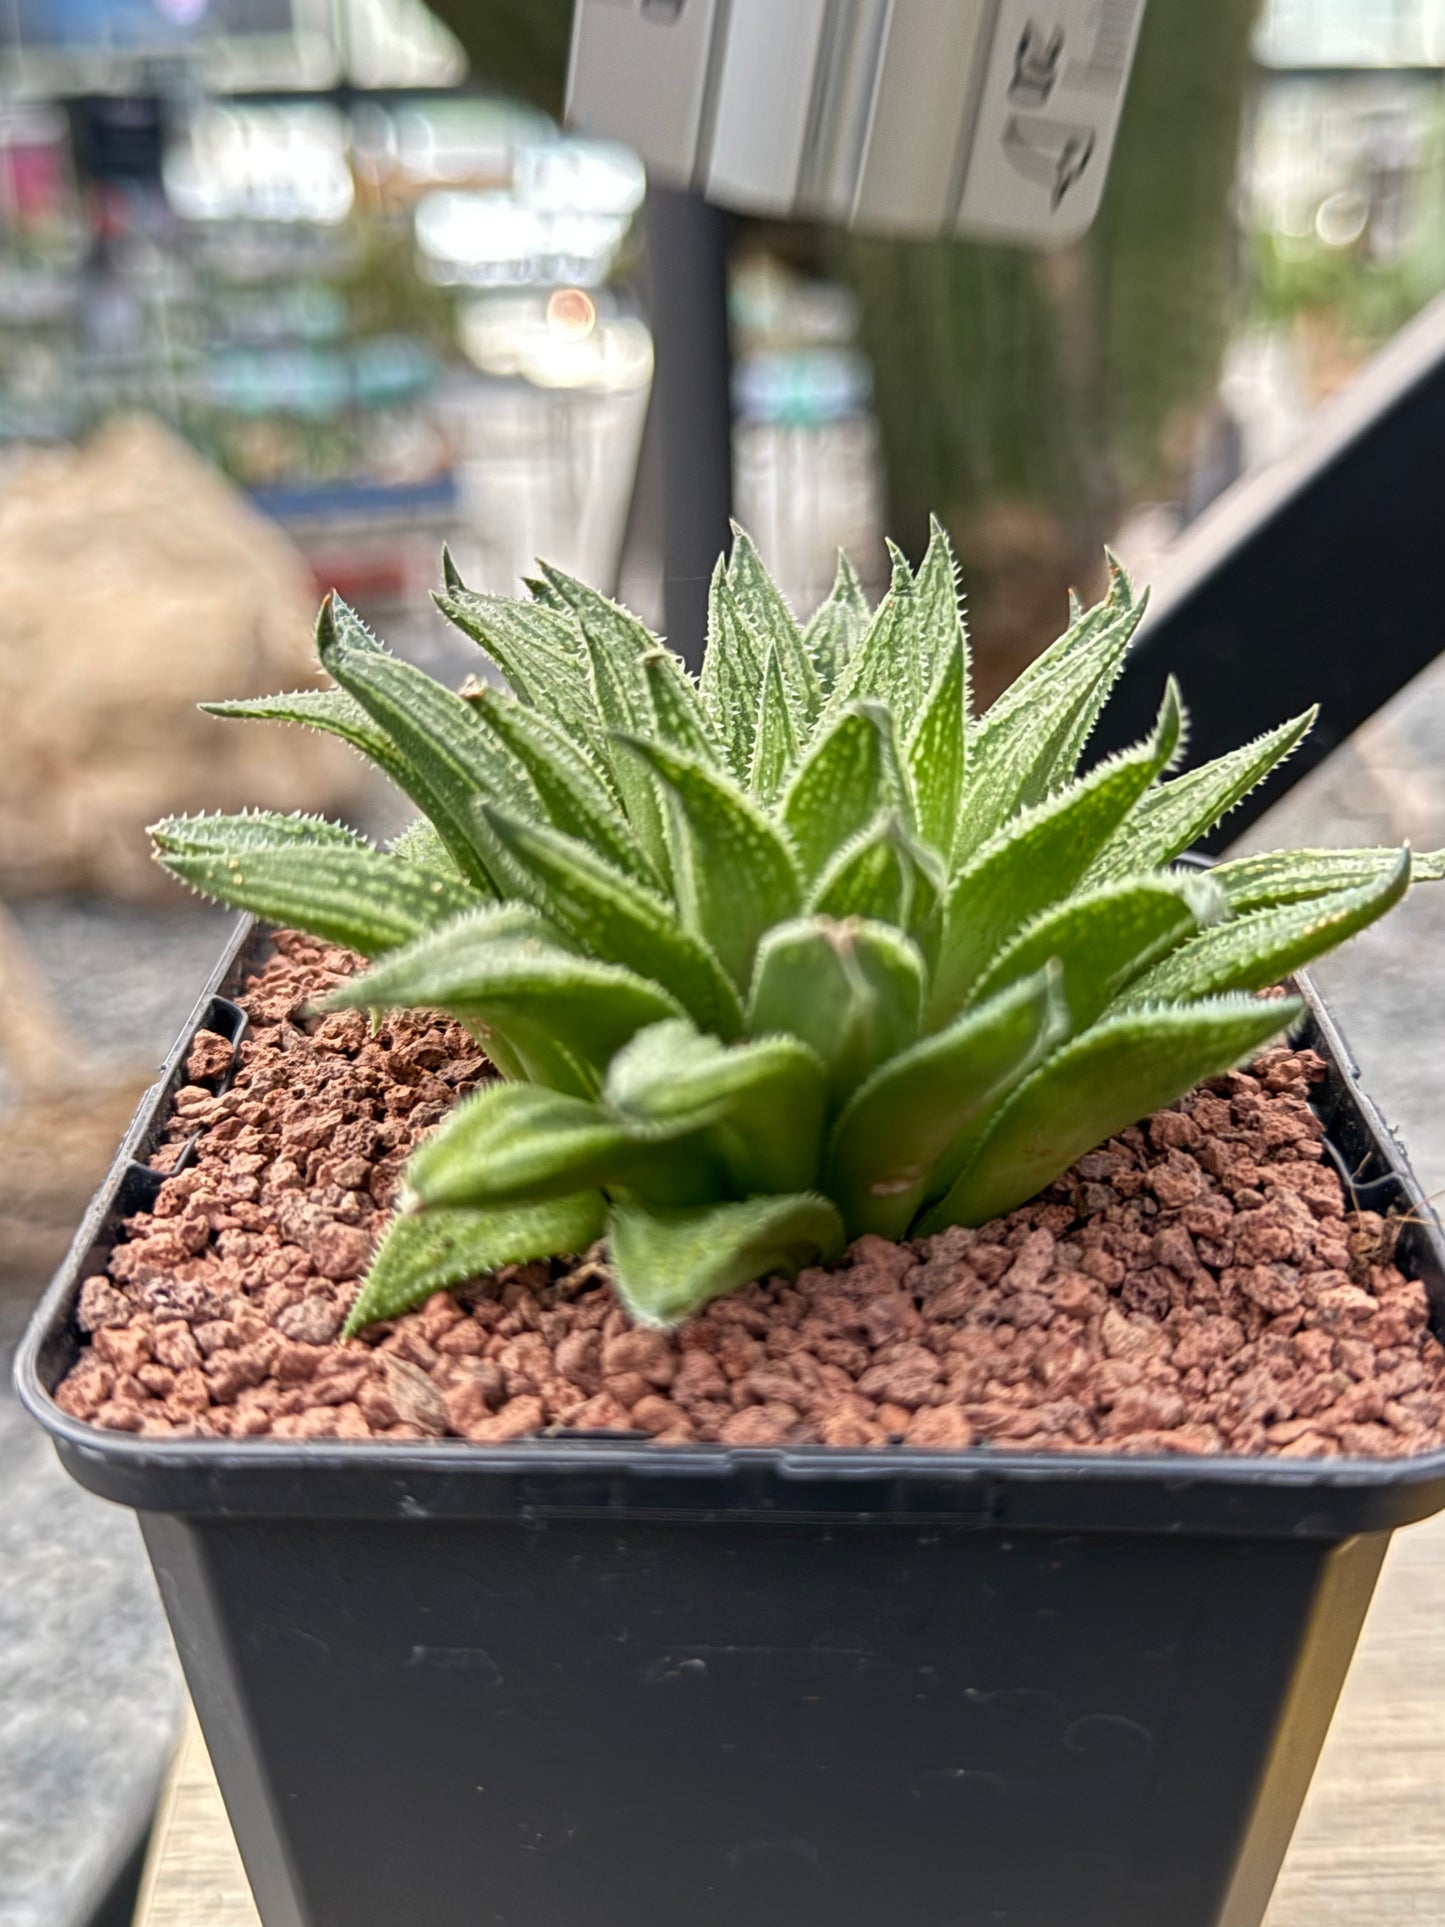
pixel 760 1103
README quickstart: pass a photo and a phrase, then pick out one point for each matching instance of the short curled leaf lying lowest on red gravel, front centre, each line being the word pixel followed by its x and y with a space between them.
pixel 671 1263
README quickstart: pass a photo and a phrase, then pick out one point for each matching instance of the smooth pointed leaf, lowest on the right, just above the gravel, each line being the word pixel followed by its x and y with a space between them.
pixel 1097 1086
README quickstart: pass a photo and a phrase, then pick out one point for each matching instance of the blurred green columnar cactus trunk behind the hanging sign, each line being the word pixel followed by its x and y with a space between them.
pixel 1032 400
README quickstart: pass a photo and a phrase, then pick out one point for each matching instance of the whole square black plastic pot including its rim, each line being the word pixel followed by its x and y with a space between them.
pixel 614 1685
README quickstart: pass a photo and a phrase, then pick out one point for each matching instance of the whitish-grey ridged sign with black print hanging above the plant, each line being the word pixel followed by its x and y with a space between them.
pixel 903 117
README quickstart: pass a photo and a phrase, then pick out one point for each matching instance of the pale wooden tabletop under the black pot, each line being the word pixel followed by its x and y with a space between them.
pixel 1369 1851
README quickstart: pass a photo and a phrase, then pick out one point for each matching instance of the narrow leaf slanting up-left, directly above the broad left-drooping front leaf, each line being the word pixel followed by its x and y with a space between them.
pixel 619 920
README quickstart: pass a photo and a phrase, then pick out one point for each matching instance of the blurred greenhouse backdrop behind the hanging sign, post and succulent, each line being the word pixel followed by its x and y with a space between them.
pixel 394 304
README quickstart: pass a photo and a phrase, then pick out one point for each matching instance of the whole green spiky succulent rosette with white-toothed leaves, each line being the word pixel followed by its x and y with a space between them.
pixel 789 953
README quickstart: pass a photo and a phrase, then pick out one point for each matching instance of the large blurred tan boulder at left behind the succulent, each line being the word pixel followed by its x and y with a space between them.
pixel 136 583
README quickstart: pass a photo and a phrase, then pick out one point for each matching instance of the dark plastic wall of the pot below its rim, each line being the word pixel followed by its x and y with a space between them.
pixel 579 1724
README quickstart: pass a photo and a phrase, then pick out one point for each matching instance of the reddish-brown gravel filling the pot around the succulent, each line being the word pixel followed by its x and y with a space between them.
pixel 1199 1284
